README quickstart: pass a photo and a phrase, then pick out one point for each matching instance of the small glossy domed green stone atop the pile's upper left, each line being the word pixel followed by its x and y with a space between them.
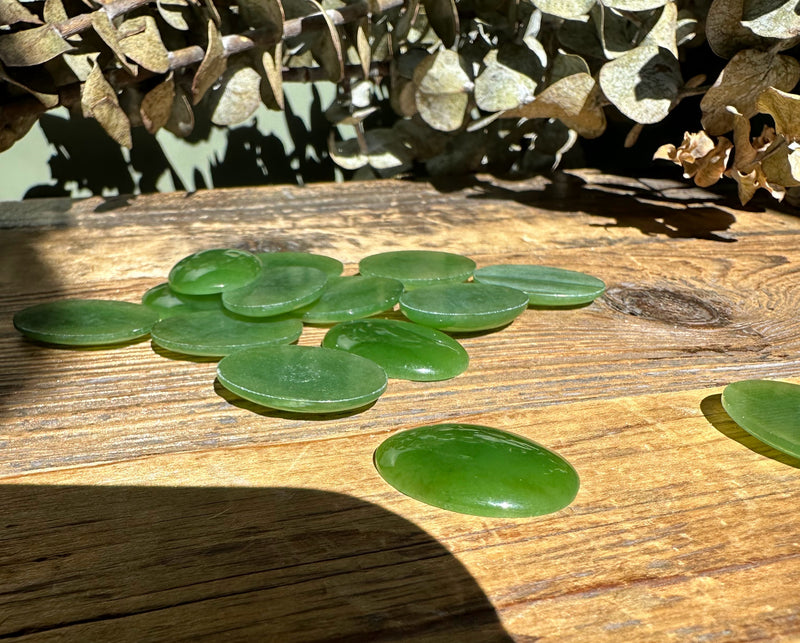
pixel 211 271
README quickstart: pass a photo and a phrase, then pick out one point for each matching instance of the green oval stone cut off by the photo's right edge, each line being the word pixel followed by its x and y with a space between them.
pixel 767 410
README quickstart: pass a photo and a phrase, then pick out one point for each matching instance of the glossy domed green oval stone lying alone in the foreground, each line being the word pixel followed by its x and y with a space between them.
pixel 477 470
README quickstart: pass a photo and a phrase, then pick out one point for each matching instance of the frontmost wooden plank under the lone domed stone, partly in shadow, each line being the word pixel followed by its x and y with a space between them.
pixel 682 529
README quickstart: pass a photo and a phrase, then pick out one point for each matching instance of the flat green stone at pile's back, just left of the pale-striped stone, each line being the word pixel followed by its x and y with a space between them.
pixel 416 268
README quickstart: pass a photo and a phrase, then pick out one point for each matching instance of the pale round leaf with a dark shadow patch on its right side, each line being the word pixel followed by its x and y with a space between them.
pixel 643 84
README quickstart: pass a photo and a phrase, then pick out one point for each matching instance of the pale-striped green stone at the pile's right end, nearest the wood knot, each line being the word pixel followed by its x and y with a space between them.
pixel 544 285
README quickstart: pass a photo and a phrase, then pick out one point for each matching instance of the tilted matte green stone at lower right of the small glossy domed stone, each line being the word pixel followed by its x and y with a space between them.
pixel 276 290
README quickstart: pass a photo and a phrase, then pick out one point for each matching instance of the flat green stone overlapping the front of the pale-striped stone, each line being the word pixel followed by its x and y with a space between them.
pixel 463 307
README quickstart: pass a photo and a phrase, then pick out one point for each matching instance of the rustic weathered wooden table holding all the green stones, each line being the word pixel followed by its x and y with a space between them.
pixel 139 501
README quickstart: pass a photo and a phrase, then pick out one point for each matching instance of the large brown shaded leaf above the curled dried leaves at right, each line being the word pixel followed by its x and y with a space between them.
pixel 740 83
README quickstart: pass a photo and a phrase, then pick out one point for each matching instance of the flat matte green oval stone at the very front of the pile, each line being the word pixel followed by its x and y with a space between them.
pixel 304 379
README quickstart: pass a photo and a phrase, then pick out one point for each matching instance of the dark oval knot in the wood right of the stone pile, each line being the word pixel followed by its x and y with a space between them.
pixel 675 307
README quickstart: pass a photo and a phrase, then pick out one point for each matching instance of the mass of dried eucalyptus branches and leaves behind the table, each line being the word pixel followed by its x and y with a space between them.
pixel 500 85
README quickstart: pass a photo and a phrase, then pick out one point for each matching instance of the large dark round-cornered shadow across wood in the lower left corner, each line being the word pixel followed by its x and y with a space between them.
pixel 84 563
